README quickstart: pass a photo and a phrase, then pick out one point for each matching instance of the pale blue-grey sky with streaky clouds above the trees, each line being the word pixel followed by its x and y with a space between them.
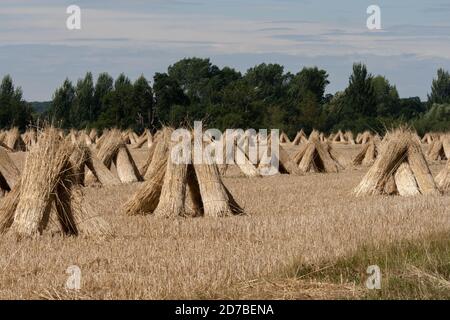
pixel 146 36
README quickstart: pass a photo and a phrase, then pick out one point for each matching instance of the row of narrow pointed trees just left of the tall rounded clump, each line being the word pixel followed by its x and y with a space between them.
pixel 105 103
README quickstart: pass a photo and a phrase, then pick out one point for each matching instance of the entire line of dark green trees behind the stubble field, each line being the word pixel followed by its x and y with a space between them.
pixel 264 97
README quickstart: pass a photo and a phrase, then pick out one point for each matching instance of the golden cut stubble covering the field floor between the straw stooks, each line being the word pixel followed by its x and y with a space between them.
pixel 310 219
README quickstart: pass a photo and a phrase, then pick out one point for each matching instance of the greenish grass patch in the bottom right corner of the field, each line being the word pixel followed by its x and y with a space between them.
pixel 418 269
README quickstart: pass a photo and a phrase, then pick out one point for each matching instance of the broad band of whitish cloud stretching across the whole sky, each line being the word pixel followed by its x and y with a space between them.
pixel 216 34
